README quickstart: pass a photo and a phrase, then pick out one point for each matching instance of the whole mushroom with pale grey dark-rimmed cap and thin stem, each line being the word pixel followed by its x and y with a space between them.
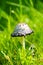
pixel 21 30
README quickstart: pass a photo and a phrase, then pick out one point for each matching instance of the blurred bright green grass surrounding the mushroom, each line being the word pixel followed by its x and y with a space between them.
pixel 13 12
